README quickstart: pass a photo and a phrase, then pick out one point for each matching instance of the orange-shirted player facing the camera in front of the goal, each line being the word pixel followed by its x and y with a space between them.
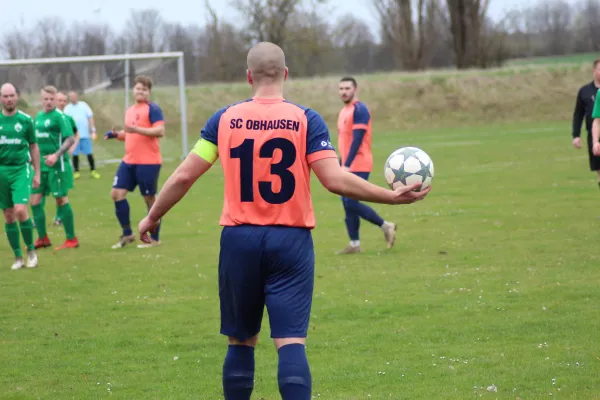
pixel 144 125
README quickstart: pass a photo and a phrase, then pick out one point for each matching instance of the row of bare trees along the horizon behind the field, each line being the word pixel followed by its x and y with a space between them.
pixel 411 35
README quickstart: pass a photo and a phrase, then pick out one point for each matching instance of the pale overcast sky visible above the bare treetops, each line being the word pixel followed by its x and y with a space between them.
pixel 116 12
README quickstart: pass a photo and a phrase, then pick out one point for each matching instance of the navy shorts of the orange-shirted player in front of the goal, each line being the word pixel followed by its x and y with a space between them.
pixel 143 175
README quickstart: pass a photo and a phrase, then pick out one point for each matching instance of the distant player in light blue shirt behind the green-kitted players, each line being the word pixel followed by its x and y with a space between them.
pixel 84 120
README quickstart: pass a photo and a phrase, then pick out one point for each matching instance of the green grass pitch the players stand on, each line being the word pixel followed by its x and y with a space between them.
pixel 493 281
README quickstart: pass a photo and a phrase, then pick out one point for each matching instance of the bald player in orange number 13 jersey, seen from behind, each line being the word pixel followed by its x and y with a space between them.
pixel 267 147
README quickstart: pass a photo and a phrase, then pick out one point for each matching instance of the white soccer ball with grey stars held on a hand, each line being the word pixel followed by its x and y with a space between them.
pixel 408 166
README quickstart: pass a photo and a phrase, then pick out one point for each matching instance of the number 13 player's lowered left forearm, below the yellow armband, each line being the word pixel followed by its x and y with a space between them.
pixel 178 184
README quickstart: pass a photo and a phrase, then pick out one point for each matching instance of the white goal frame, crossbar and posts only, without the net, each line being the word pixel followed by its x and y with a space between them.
pixel 127 58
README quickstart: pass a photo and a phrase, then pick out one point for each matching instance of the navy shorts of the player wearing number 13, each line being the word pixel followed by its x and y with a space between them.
pixel 265 265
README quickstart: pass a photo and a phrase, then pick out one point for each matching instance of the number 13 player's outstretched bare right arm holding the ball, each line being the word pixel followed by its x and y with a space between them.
pixel 341 182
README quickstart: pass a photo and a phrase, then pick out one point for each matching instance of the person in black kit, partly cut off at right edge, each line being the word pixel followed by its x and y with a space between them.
pixel 584 105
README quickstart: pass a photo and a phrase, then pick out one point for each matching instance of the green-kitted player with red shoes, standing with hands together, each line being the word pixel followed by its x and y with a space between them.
pixel 55 137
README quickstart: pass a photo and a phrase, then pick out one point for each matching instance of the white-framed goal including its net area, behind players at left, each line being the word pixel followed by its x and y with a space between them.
pixel 105 83
